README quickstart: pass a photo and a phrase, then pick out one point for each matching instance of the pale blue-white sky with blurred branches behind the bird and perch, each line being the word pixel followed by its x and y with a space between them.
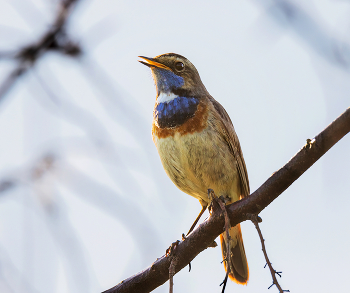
pixel 84 200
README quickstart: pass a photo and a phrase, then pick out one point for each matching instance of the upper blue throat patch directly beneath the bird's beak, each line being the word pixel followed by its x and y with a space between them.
pixel 167 80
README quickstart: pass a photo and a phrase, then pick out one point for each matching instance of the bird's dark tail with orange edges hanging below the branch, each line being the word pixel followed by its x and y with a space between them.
pixel 239 265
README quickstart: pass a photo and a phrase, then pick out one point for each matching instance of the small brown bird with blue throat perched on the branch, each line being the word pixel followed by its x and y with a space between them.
pixel 198 146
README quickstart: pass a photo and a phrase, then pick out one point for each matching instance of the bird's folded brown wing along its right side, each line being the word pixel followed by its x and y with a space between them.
pixel 231 138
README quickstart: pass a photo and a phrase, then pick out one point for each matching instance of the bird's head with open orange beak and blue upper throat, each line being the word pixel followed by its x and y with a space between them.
pixel 174 74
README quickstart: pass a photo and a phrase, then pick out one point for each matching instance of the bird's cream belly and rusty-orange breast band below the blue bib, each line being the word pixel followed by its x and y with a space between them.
pixel 196 157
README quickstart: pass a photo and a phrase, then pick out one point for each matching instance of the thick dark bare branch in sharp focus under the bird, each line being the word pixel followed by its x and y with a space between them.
pixel 205 234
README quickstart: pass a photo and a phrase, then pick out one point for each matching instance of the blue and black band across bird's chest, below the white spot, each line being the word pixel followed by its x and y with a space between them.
pixel 175 112
